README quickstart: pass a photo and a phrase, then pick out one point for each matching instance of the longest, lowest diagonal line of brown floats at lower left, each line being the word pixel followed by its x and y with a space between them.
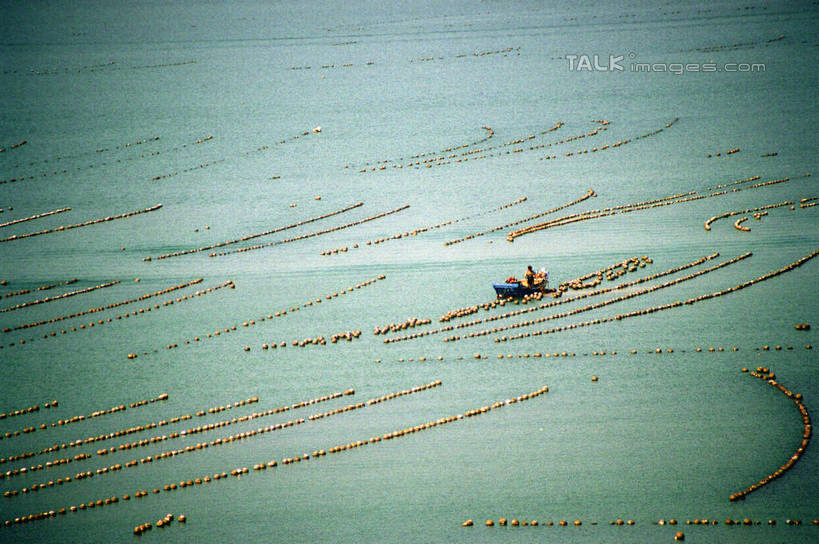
pixel 263 466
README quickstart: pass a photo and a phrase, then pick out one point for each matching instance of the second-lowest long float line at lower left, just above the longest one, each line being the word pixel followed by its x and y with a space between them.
pixel 170 454
